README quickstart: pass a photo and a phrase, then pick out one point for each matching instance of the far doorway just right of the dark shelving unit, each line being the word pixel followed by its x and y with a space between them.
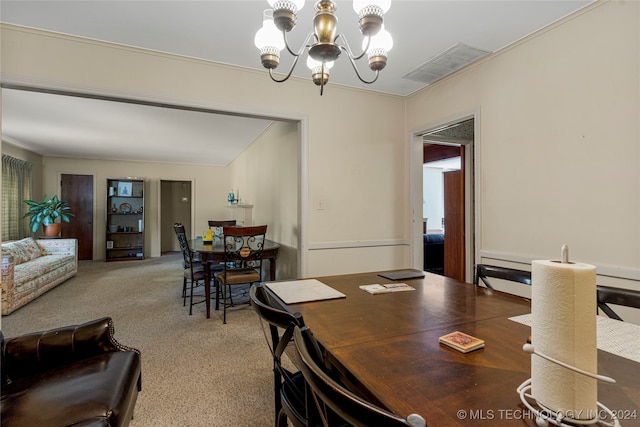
pixel 175 206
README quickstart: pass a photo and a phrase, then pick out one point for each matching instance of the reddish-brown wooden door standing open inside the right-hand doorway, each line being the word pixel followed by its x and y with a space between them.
pixel 454 259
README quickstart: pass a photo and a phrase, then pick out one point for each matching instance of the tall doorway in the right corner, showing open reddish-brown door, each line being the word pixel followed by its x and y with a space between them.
pixel 446 240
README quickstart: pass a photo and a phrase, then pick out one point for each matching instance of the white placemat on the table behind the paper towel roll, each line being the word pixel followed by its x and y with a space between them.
pixel 614 336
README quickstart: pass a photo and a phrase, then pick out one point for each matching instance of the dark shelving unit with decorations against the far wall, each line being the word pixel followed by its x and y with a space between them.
pixel 125 219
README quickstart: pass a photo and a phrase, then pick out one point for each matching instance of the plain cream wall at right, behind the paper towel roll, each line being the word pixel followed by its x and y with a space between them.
pixel 558 142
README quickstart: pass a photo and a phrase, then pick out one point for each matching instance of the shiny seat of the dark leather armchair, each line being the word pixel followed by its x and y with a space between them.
pixel 91 390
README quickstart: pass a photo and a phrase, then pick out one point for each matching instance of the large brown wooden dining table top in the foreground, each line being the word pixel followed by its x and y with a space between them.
pixel 387 350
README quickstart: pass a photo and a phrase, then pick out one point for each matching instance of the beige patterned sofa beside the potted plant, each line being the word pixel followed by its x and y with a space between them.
pixel 32 267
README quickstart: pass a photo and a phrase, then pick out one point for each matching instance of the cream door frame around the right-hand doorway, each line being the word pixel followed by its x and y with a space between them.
pixel 472 190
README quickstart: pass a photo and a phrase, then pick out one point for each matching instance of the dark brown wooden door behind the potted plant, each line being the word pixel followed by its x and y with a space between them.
pixel 77 190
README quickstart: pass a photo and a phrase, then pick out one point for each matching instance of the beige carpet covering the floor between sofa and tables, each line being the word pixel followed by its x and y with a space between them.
pixel 195 371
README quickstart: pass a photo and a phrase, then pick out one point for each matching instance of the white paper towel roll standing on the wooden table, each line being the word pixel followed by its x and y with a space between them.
pixel 563 311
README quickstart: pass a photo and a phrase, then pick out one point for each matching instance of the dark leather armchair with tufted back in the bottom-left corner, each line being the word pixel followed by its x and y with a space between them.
pixel 74 375
